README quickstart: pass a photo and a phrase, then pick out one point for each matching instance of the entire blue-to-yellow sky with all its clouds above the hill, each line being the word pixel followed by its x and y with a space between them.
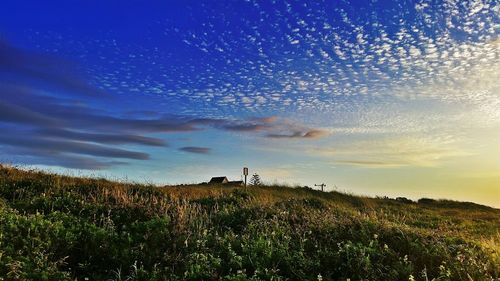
pixel 379 98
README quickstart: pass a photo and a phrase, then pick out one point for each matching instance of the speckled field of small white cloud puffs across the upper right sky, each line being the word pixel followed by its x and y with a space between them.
pixel 348 61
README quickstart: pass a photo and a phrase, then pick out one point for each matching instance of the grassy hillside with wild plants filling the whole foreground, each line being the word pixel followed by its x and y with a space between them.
pixel 55 227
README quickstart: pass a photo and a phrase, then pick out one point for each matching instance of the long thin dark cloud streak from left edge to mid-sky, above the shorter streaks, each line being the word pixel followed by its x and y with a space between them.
pixel 29 107
